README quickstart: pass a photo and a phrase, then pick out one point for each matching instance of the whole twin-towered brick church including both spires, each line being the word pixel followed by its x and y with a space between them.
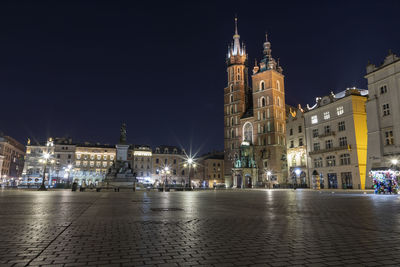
pixel 254 119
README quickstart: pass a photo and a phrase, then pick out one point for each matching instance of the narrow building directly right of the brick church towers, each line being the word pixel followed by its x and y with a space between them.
pixel 296 147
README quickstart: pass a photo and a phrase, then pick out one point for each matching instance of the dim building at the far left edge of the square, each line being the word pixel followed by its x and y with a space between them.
pixel 13 153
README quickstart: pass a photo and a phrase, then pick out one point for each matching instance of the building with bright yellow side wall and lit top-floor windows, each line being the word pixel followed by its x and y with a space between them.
pixel 336 133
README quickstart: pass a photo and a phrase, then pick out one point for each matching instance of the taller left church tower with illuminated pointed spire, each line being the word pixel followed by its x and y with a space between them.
pixel 236 100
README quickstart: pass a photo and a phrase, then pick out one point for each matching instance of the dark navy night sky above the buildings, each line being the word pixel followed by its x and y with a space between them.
pixel 81 69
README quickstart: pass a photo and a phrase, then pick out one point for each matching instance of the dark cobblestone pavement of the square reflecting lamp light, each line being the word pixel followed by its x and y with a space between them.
pixel 210 228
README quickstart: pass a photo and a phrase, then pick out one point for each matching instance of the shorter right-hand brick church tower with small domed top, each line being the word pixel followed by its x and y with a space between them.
pixel 269 117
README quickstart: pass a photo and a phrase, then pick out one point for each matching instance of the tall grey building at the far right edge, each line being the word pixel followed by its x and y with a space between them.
pixel 383 111
